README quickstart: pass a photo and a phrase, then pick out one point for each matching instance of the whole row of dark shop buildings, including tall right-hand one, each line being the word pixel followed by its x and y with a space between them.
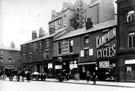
pixel 106 48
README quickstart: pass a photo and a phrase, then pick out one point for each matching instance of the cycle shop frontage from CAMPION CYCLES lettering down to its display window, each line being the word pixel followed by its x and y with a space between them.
pixel 106 55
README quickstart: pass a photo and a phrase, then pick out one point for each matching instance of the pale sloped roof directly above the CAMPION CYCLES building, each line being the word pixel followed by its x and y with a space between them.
pixel 96 27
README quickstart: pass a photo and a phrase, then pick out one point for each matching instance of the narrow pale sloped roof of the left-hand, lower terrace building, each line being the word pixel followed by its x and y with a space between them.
pixel 44 37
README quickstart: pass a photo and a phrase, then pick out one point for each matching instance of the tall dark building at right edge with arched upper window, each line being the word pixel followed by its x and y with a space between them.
pixel 126 39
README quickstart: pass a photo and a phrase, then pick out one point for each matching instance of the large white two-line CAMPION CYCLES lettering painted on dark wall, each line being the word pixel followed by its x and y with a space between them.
pixel 109 50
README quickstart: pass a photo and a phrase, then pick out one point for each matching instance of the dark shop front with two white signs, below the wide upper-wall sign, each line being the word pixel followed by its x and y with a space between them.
pixel 66 64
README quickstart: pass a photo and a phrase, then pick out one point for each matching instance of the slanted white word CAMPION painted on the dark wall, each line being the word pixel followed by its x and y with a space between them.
pixel 100 41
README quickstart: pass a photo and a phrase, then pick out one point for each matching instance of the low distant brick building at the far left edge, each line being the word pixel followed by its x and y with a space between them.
pixel 9 58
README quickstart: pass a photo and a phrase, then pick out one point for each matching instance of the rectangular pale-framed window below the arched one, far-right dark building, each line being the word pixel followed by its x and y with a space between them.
pixel 131 40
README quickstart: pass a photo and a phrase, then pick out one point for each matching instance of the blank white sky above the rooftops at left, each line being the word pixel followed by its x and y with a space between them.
pixel 20 17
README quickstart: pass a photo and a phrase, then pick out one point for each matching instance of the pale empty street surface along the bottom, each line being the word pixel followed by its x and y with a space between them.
pixel 70 85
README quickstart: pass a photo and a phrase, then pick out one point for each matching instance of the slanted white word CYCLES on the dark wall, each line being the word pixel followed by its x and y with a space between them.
pixel 106 52
